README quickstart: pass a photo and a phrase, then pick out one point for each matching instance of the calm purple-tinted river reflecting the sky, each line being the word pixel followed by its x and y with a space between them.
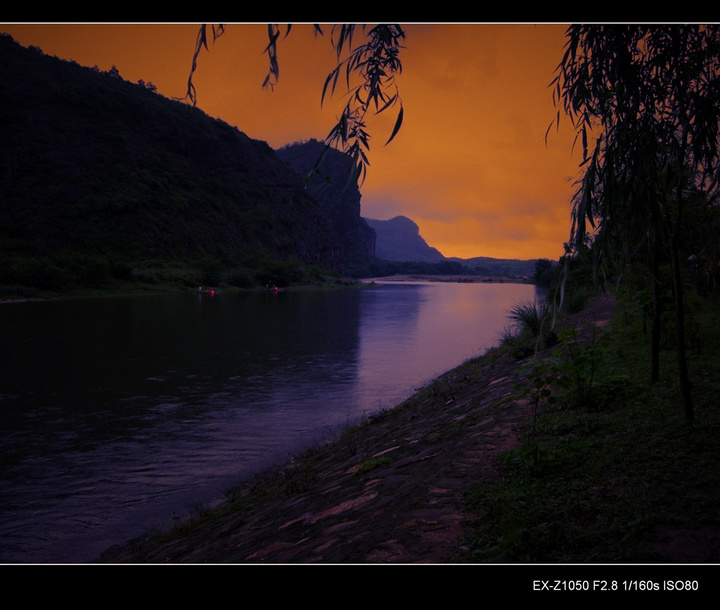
pixel 117 414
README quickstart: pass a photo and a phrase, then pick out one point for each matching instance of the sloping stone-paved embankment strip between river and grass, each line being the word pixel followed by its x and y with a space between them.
pixel 390 490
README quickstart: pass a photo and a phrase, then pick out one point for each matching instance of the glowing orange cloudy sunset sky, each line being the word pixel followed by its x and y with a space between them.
pixel 470 166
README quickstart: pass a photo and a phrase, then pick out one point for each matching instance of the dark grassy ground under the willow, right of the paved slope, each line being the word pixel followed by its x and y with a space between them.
pixel 620 476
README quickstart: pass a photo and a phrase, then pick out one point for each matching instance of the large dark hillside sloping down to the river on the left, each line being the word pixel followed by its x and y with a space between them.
pixel 103 180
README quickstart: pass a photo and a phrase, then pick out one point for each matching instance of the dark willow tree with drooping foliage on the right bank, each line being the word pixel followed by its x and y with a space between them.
pixel 649 96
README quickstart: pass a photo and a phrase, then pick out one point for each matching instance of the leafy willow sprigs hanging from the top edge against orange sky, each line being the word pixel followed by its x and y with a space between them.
pixel 368 70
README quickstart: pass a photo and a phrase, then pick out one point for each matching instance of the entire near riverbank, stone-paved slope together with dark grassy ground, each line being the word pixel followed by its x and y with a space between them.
pixel 462 472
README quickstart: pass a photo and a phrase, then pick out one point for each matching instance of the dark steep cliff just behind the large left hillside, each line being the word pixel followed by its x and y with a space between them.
pixel 339 201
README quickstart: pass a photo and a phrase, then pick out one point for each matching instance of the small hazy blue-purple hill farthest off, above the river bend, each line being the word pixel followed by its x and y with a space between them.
pixel 398 239
